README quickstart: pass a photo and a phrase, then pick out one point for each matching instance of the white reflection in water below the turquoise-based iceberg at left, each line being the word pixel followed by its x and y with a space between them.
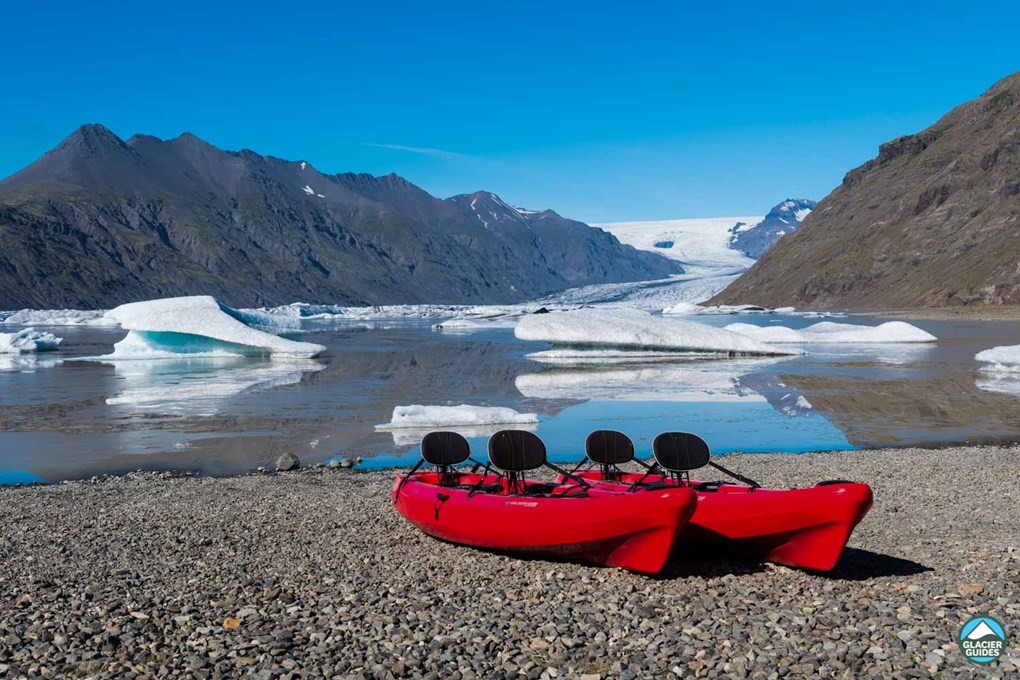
pixel 200 387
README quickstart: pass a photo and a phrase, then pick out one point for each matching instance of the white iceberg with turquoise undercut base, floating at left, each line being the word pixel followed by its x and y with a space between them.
pixel 198 326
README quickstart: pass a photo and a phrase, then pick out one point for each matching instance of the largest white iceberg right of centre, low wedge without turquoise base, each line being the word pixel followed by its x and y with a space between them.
pixel 624 328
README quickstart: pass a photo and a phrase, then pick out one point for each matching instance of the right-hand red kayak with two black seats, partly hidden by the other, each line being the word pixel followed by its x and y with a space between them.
pixel 800 528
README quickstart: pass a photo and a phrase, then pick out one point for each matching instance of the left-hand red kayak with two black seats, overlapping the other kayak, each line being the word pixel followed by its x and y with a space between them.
pixel 504 511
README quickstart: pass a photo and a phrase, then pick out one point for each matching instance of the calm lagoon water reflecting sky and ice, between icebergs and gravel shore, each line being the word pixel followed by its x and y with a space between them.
pixel 62 417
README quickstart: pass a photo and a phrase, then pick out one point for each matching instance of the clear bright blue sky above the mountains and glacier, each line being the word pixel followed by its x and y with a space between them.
pixel 604 112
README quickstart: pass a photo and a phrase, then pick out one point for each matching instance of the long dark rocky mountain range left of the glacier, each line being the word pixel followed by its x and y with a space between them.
pixel 99 222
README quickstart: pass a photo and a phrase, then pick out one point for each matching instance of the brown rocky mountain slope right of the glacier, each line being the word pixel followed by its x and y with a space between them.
pixel 934 221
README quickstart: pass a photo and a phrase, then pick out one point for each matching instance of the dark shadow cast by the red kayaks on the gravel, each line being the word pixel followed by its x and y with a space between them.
pixel 855 565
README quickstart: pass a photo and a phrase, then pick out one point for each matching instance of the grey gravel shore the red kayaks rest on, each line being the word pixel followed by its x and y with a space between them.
pixel 313 573
